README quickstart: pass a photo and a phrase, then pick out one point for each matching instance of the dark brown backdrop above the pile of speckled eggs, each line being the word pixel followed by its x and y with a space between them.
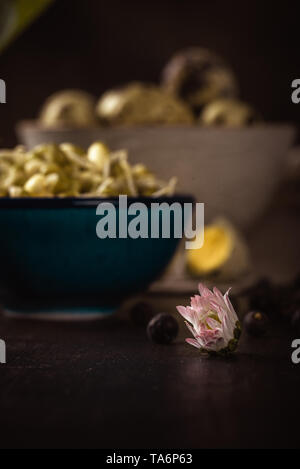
pixel 95 45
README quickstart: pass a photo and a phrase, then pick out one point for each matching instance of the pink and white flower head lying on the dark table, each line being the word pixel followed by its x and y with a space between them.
pixel 212 320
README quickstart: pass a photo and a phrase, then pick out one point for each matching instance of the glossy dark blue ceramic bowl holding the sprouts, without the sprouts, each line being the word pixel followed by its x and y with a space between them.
pixel 53 264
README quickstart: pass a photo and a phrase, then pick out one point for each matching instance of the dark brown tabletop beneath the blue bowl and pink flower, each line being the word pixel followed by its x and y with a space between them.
pixel 104 384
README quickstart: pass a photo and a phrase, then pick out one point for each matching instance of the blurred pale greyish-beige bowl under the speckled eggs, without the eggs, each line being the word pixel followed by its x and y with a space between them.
pixel 233 171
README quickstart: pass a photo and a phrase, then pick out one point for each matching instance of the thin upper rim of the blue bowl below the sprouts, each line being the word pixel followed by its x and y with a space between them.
pixel 77 202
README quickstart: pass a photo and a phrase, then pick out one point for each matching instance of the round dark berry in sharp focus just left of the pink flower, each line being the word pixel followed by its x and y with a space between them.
pixel 162 329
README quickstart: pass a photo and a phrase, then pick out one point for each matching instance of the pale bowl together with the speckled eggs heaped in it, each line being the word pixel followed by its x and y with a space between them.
pixel 193 122
